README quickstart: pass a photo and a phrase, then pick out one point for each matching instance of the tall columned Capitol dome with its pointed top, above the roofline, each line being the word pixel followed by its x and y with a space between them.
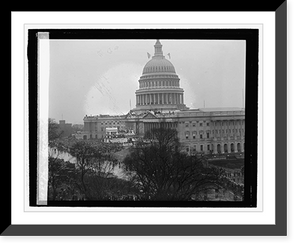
pixel 159 87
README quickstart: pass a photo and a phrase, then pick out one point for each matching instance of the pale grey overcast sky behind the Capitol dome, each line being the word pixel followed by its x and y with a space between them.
pixel 91 77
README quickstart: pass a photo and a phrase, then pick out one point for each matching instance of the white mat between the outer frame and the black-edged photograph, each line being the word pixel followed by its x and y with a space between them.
pixel 264 214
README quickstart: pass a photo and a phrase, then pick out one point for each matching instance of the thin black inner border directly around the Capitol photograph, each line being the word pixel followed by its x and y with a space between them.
pixel 251 36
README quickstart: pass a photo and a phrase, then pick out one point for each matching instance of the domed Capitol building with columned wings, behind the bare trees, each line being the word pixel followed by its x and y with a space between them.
pixel 160 102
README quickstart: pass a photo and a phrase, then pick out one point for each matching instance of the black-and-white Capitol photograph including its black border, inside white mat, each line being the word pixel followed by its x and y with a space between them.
pixel 142 122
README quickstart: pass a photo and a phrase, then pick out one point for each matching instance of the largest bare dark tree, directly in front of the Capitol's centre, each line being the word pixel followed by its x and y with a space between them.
pixel 162 172
